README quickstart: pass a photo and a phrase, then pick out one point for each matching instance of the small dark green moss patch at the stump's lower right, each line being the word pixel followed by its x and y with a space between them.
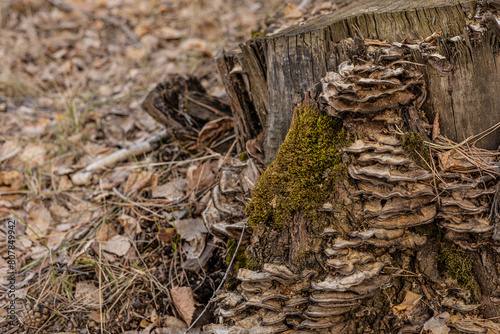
pixel 458 265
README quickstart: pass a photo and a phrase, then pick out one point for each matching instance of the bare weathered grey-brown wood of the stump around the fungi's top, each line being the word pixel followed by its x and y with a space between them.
pixel 281 67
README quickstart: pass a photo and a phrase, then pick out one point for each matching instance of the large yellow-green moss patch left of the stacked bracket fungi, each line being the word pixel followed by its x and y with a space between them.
pixel 305 173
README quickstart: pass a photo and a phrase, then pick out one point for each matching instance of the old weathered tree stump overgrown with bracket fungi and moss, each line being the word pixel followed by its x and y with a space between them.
pixel 379 211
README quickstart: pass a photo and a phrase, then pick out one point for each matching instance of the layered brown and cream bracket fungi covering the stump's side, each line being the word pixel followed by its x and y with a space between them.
pixel 362 260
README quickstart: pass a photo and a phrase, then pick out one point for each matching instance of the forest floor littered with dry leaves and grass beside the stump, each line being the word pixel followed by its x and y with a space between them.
pixel 98 252
